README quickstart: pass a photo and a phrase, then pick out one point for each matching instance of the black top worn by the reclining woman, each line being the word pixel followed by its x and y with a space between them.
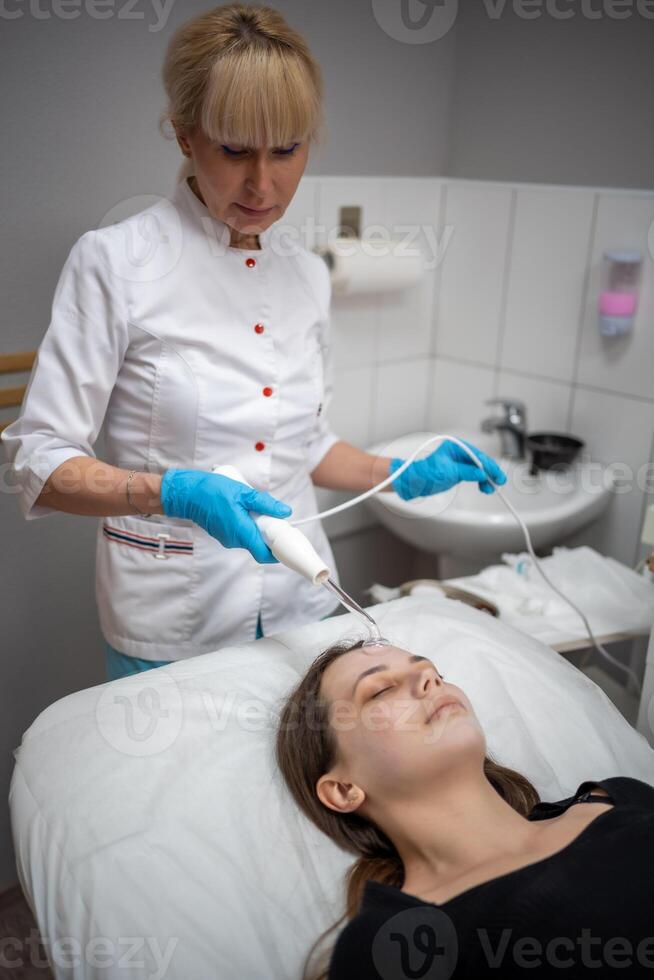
pixel 587 909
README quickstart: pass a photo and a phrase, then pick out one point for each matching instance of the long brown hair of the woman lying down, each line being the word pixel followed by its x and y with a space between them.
pixel 306 749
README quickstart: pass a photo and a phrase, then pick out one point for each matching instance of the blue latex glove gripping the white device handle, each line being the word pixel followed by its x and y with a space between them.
pixel 220 506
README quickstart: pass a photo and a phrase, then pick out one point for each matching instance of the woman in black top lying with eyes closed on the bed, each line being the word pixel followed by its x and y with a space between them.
pixel 461 871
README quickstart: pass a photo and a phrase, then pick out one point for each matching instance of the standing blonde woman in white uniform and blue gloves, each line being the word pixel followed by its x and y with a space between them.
pixel 197 340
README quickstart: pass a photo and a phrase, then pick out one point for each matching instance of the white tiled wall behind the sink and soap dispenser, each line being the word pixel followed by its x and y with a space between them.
pixel 508 307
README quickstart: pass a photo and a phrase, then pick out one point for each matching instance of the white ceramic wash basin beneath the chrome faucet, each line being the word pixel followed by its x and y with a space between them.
pixel 465 521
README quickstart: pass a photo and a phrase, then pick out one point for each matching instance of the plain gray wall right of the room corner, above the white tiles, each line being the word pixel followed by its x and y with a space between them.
pixel 553 101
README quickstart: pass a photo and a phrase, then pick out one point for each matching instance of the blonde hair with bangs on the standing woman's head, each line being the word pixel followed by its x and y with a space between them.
pixel 243 75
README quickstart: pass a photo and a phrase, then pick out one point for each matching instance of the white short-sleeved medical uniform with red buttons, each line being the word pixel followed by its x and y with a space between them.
pixel 191 353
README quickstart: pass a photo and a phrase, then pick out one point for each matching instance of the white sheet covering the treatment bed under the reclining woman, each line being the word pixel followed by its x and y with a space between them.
pixel 153 834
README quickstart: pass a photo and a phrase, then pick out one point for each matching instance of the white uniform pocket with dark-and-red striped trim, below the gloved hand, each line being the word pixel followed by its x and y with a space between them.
pixel 144 580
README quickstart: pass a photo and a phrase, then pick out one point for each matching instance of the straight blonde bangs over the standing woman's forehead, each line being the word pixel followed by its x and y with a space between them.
pixel 261 97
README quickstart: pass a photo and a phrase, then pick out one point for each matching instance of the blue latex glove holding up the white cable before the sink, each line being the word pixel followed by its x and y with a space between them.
pixel 444 468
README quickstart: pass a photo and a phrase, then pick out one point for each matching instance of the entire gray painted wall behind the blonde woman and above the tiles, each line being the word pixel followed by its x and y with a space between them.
pixel 79 123
